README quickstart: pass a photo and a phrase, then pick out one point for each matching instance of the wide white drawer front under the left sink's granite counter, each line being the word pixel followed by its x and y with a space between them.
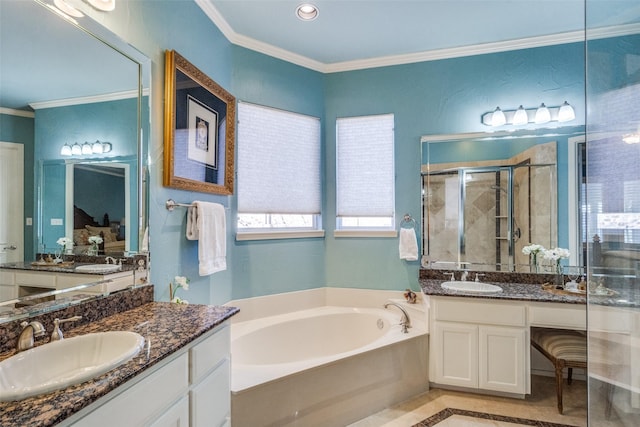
pixel 139 404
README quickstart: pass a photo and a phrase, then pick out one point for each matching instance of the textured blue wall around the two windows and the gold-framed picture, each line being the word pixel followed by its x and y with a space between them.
pixel 438 97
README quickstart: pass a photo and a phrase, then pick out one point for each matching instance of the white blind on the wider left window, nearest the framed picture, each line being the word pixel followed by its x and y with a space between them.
pixel 278 161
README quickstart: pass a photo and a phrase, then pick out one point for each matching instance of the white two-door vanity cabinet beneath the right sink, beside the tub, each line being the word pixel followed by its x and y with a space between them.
pixel 479 345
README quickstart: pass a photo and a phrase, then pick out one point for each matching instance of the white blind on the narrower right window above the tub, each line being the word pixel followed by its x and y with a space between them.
pixel 365 166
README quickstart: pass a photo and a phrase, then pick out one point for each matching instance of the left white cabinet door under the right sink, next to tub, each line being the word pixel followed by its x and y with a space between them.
pixel 454 350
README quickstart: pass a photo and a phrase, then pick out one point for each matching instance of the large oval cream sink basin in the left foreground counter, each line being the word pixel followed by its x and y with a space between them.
pixel 60 364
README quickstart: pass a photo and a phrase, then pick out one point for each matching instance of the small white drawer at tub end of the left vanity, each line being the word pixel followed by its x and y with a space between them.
pixel 209 353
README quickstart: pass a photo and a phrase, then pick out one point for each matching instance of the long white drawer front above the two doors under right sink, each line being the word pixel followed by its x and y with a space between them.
pixel 486 312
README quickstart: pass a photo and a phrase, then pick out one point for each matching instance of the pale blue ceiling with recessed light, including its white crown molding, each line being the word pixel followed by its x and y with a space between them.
pixel 354 34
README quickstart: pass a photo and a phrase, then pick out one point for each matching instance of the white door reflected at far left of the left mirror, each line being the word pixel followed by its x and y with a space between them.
pixel 11 202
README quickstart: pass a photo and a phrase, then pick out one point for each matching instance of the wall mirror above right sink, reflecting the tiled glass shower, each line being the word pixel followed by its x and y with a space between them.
pixel 487 195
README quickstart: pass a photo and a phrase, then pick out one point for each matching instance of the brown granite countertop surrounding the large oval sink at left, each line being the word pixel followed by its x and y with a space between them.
pixel 166 326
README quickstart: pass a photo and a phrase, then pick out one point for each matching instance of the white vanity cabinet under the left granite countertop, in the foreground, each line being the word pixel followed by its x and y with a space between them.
pixel 192 389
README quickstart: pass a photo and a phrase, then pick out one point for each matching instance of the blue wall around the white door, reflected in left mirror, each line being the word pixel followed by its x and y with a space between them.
pixel 19 130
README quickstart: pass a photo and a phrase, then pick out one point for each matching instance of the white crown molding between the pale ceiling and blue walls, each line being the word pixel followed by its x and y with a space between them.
pixel 432 55
